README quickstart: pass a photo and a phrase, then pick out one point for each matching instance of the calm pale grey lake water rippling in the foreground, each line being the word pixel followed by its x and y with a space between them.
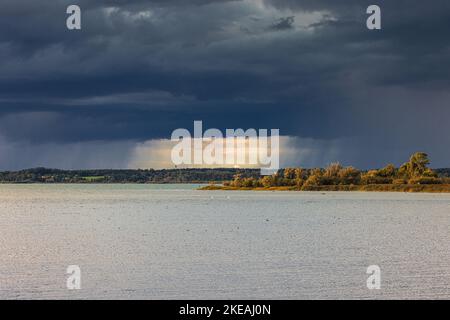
pixel 173 242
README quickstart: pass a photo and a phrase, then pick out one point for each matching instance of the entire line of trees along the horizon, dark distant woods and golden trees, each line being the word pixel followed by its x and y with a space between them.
pixel 415 171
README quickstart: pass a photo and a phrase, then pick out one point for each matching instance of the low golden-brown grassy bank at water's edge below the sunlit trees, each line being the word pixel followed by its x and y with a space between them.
pixel 437 188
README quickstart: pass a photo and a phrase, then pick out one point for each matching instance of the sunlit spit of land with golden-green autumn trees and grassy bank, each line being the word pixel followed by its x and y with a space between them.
pixel 412 176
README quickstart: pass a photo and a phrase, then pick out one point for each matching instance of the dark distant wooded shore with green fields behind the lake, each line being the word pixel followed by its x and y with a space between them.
pixel 45 175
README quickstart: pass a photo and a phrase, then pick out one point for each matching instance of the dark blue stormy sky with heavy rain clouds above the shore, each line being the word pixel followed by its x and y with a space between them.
pixel 110 95
